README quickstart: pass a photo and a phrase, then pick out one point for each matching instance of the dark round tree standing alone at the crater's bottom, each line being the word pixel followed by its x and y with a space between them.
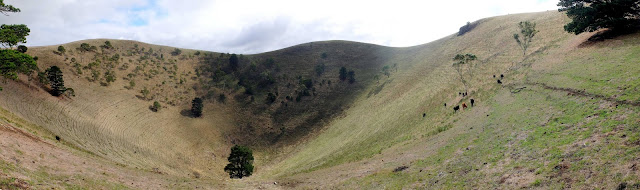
pixel 240 162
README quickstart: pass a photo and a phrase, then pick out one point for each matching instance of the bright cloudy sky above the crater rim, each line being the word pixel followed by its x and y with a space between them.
pixel 255 26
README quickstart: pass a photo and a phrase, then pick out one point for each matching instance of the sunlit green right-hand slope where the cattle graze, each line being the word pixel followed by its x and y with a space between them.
pixel 535 137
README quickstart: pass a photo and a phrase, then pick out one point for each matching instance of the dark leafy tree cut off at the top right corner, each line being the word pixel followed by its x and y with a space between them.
pixel 592 15
